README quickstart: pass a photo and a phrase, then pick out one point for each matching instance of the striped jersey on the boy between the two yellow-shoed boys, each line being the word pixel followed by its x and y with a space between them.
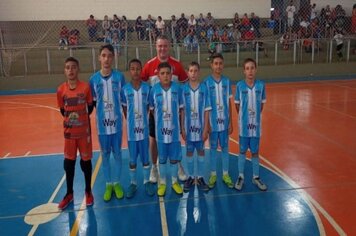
pixel 196 102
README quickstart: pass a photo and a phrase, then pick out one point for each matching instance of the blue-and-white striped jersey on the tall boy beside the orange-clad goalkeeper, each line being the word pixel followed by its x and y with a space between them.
pixel 107 94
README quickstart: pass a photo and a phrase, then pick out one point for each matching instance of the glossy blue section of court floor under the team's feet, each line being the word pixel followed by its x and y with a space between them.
pixel 30 182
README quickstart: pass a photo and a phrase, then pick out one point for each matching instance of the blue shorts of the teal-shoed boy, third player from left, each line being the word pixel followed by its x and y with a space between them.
pixel 139 148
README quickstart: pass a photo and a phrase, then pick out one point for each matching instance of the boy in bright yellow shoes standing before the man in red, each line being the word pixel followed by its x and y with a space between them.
pixel 166 103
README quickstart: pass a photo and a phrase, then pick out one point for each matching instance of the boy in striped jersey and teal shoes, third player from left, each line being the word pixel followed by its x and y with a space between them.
pixel 135 107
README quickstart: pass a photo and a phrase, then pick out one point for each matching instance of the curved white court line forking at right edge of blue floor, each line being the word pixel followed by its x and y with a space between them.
pixel 309 199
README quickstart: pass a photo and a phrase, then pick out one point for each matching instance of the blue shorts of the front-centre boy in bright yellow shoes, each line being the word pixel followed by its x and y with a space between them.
pixel 173 151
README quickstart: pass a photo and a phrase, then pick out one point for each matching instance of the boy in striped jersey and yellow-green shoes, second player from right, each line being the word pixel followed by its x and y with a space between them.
pixel 220 95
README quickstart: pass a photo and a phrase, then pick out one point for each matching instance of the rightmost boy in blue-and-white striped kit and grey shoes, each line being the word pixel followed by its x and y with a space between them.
pixel 249 100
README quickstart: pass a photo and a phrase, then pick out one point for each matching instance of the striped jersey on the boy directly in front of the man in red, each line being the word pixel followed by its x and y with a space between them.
pixel 166 105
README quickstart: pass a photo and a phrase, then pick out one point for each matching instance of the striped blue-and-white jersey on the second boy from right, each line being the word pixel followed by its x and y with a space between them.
pixel 219 95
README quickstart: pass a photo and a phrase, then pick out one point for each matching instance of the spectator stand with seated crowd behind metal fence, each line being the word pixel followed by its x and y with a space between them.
pixel 294 33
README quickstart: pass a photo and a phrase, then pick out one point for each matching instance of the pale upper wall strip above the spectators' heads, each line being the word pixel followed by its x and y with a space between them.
pixel 27 10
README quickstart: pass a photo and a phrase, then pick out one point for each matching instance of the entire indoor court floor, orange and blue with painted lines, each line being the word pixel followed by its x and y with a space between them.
pixel 308 157
